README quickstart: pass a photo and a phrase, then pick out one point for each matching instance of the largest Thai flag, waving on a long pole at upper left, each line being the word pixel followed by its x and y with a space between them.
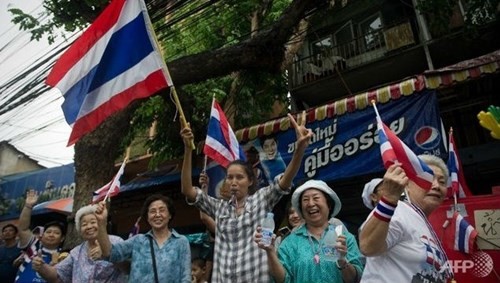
pixel 115 61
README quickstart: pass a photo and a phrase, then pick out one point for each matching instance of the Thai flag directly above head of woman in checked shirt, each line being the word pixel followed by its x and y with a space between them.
pixel 221 144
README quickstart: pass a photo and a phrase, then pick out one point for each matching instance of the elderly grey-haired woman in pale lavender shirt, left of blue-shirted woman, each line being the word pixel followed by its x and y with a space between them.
pixel 83 263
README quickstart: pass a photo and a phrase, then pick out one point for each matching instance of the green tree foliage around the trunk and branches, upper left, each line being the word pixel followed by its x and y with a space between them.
pixel 219 24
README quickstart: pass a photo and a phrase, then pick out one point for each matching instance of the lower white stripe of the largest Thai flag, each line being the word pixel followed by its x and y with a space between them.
pixel 120 83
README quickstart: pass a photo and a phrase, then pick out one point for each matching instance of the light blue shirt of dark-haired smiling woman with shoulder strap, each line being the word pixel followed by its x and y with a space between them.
pixel 173 259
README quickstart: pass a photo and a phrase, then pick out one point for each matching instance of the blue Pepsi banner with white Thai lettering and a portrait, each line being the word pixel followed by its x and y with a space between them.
pixel 347 145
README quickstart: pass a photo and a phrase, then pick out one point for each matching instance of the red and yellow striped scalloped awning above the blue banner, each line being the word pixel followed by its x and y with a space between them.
pixel 441 78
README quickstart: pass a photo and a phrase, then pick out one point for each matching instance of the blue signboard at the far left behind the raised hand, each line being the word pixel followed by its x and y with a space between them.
pixel 51 184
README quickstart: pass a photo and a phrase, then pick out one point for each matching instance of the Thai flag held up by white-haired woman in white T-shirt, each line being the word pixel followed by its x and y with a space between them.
pixel 394 150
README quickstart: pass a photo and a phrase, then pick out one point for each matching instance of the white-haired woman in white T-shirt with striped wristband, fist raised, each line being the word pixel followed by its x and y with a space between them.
pixel 397 236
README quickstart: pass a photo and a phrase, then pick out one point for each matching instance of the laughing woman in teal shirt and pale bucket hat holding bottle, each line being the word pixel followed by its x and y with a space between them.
pixel 300 257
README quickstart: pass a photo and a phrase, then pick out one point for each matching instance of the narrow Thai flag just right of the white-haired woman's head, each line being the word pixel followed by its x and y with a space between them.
pixel 458 186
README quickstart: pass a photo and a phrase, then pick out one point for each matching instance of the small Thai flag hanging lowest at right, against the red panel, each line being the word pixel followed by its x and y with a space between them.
pixel 464 234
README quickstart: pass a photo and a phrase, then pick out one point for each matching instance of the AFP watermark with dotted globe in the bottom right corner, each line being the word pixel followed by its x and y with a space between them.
pixel 480 265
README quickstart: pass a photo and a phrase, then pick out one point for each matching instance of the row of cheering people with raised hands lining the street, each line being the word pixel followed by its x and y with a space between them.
pixel 396 242
